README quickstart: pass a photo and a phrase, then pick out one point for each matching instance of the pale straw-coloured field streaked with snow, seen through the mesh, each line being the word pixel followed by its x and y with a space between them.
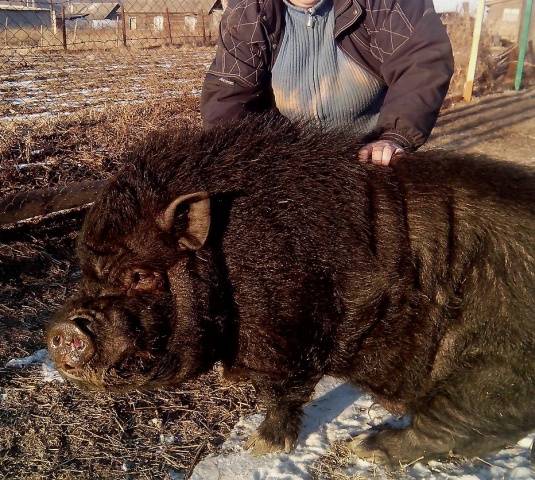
pixel 39 85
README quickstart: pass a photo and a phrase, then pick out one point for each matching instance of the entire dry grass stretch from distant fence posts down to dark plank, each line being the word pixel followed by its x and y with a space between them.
pixel 77 122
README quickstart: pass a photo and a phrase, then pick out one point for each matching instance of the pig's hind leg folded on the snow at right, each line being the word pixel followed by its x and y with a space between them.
pixel 473 414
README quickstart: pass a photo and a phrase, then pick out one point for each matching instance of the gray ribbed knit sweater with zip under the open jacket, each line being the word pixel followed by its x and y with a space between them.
pixel 313 79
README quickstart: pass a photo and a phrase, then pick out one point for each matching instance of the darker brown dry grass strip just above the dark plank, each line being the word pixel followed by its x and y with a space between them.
pixel 86 145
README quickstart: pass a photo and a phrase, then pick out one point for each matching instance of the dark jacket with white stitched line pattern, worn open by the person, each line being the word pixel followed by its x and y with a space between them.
pixel 403 42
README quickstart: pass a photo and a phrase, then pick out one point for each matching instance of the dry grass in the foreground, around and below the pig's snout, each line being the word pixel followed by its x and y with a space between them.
pixel 53 430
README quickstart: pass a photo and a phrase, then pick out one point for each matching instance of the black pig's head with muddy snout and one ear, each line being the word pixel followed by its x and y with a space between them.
pixel 135 322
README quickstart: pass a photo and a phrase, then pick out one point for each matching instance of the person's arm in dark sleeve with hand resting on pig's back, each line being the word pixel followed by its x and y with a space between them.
pixel 417 73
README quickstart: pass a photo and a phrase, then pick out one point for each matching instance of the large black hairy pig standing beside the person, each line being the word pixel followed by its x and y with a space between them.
pixel 269 248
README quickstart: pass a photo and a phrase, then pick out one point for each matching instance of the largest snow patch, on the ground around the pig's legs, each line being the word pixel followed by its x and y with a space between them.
pixel 337 413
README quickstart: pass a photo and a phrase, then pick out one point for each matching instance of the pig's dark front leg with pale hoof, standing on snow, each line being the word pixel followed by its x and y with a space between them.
pixel 280 429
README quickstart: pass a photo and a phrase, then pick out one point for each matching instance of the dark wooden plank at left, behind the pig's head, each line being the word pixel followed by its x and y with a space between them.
pixel 35 203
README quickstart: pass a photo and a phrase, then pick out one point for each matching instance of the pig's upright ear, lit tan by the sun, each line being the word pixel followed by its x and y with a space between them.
pixel 198 223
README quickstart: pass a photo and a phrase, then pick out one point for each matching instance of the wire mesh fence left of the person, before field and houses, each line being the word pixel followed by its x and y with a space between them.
pixel 60 56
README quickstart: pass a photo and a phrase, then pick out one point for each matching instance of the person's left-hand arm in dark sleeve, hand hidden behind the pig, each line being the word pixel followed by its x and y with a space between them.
pixel 237 82
